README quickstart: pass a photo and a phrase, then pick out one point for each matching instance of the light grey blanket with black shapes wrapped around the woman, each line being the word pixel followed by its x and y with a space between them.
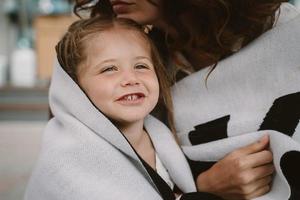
pixel 254 92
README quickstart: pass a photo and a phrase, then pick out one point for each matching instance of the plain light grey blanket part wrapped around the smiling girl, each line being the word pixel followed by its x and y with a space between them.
pixel 85 157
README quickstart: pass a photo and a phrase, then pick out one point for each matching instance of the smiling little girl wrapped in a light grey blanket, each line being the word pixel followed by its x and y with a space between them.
pixel 102 143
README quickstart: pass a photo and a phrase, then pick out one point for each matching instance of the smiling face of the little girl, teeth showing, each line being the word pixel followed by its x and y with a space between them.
pixel 118 75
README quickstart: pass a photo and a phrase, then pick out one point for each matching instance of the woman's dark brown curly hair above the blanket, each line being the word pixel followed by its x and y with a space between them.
pixel 206 31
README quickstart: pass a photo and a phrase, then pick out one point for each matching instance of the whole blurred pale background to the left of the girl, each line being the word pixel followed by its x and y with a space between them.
pixel 29 30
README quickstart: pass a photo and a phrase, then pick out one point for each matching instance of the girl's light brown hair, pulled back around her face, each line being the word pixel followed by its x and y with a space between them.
pixel 71 52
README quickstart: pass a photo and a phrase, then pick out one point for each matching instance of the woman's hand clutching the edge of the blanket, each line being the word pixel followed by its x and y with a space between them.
pixel 243 174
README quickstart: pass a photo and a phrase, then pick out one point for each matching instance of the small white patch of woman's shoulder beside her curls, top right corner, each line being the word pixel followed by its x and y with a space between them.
pixel 286 13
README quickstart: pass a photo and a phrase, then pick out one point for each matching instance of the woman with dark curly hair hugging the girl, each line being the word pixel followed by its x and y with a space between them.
pixel 234 95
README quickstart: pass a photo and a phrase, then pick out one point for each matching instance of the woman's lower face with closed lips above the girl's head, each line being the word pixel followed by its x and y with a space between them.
pixel 141 11
